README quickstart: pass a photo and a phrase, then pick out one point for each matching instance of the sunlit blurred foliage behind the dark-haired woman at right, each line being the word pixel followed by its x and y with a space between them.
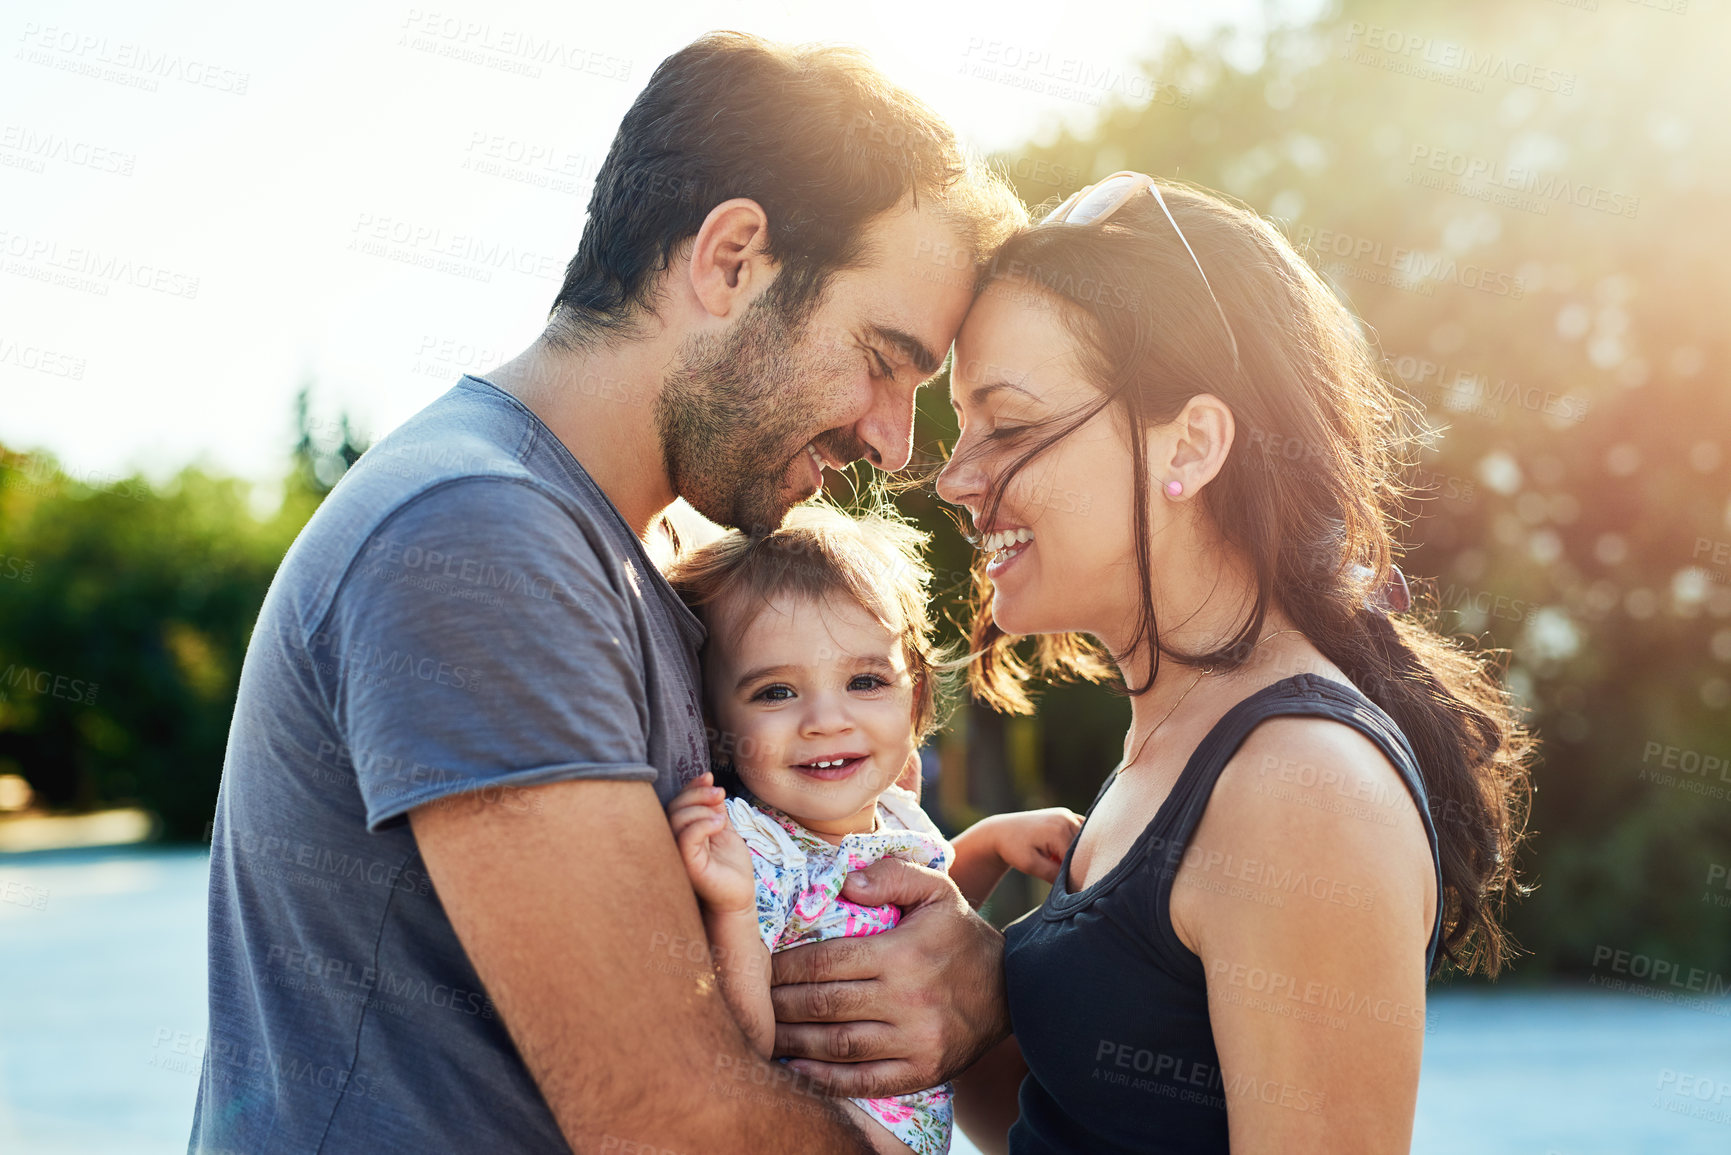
pixel 1581 482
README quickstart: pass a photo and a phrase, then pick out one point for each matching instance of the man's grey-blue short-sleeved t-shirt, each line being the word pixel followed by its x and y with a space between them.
pixel 467 612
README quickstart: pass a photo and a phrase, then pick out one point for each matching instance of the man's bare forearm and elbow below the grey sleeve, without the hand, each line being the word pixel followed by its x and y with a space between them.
pixel 558 907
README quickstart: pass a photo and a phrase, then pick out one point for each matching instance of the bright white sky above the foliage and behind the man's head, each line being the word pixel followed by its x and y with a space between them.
pixel 203 205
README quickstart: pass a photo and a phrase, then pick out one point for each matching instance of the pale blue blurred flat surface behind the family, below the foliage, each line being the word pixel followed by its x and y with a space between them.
pixel 103 1000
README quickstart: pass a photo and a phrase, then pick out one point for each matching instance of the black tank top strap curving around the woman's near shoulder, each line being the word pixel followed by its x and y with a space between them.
pixel 1304 695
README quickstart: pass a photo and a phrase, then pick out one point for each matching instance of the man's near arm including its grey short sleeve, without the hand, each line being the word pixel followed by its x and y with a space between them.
pixel 524 771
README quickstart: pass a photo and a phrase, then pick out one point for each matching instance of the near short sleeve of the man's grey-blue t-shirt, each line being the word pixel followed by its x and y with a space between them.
pixel 479 643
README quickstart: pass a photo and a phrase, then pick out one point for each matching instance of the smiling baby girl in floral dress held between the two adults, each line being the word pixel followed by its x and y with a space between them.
pixel 821 681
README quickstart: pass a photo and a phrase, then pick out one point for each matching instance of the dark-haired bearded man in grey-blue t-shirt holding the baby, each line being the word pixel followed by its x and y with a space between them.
pixel 446 907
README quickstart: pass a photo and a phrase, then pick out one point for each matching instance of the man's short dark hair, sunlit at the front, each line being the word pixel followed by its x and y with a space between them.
pixel 814 134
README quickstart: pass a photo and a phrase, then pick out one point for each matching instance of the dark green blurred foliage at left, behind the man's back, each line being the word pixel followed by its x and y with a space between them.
pixel 125 614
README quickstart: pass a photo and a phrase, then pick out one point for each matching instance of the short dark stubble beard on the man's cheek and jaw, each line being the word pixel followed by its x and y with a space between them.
pixel 731 416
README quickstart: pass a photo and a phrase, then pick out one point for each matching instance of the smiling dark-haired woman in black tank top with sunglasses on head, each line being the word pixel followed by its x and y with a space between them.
pixel 1183 467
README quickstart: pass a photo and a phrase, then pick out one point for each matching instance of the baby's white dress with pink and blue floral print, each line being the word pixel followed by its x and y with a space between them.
pixel 799 900
